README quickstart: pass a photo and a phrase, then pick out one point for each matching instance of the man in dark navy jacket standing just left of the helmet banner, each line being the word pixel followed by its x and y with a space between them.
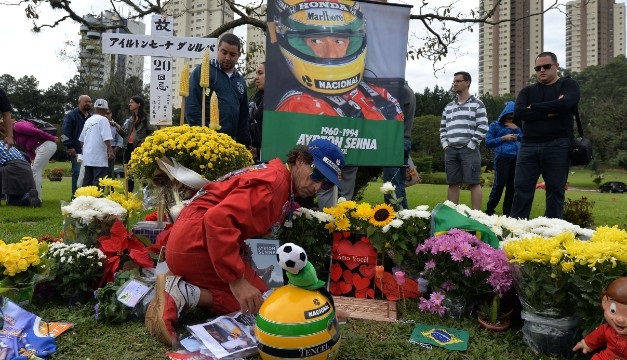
pixel 230 87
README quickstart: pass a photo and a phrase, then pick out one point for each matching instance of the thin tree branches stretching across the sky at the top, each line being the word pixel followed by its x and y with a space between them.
pixel 436 19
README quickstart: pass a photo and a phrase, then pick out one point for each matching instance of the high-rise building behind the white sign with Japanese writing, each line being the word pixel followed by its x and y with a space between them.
pixel 97 68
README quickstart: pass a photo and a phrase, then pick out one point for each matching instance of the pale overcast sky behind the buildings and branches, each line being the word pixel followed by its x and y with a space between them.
pixel 26 53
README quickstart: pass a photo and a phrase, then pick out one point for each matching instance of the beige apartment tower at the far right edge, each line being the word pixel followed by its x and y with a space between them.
pixel 595 32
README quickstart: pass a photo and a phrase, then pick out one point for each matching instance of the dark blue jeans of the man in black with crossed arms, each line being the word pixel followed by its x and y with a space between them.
pixel 549 159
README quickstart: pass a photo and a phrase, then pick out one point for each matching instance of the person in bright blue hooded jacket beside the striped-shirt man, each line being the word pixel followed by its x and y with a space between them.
pixel 504 136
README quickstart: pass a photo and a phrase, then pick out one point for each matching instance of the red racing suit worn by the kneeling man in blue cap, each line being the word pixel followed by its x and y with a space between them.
pixel 206 242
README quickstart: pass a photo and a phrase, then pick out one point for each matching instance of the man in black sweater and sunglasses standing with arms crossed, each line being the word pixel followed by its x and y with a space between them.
pixel 546 110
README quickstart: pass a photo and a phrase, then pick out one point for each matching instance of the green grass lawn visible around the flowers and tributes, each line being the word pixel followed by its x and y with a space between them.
pixel 361 339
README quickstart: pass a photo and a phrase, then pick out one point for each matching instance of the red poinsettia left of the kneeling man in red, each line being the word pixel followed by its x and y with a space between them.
pixel 118 246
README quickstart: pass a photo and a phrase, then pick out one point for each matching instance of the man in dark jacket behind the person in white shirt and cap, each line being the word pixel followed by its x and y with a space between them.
pixel 71 129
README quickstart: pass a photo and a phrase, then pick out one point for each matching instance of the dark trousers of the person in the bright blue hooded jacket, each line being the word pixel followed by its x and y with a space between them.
pixel 504 172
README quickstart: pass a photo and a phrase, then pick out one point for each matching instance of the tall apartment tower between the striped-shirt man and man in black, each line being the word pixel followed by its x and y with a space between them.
pixel 507 51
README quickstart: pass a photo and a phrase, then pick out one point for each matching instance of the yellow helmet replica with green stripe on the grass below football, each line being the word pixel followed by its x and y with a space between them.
pixel 295 323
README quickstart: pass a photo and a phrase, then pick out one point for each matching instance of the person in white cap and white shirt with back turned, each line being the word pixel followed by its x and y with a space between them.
pixel 96 143
